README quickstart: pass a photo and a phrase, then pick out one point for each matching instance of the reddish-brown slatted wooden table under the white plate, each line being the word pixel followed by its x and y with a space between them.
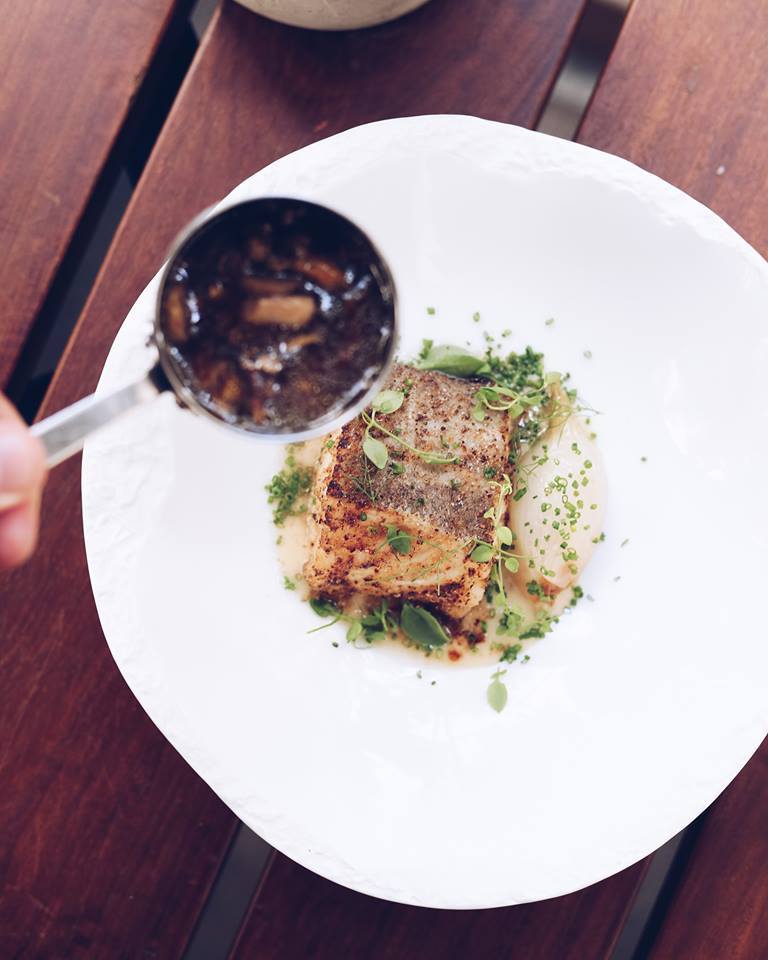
pixel 110 843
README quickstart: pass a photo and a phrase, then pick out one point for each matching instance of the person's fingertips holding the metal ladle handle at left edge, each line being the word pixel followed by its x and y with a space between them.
pixel 22 476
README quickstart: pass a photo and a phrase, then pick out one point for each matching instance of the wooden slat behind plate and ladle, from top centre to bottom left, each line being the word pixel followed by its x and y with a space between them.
pixel 109 841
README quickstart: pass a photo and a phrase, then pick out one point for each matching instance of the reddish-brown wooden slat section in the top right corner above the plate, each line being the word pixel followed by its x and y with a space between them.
pixel 685 95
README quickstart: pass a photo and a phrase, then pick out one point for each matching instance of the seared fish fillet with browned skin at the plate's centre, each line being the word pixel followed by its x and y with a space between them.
pixel 441 507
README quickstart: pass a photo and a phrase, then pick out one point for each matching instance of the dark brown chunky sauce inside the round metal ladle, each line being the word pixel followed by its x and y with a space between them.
pixel 277 313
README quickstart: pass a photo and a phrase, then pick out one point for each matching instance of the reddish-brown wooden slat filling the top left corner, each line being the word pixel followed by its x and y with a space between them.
pixel 69 72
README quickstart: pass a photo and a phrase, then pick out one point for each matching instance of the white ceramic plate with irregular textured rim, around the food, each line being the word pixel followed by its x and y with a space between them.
pixel 640 708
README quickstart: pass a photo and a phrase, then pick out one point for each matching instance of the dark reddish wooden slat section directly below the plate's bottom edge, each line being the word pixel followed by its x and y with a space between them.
pixel 297 914
